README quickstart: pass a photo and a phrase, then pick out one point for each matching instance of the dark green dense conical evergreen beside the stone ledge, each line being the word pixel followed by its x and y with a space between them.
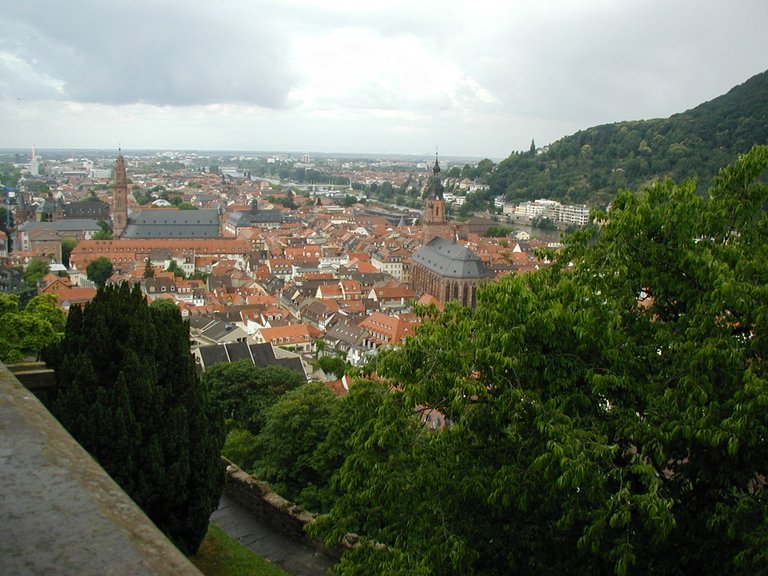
pixel 129 393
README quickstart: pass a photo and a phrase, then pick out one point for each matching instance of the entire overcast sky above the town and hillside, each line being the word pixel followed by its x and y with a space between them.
pixel 470 78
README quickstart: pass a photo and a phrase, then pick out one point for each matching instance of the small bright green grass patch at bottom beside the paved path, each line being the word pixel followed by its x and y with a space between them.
pixel 220 555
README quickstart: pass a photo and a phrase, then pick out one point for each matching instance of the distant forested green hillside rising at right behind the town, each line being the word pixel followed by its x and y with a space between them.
pixel 591 165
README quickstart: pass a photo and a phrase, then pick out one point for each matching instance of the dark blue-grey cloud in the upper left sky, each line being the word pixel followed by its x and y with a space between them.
pixel 158 53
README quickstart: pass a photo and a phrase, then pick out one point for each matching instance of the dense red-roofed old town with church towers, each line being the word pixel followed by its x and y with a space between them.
pixel 252 262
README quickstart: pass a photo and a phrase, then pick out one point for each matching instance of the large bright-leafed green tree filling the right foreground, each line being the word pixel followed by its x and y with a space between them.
pixel 607 414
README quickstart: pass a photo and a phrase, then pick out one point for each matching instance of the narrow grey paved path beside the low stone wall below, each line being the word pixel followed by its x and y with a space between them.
pixel 250 531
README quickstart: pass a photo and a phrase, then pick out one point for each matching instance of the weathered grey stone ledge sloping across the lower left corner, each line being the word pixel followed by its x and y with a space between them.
pixel 61 513
